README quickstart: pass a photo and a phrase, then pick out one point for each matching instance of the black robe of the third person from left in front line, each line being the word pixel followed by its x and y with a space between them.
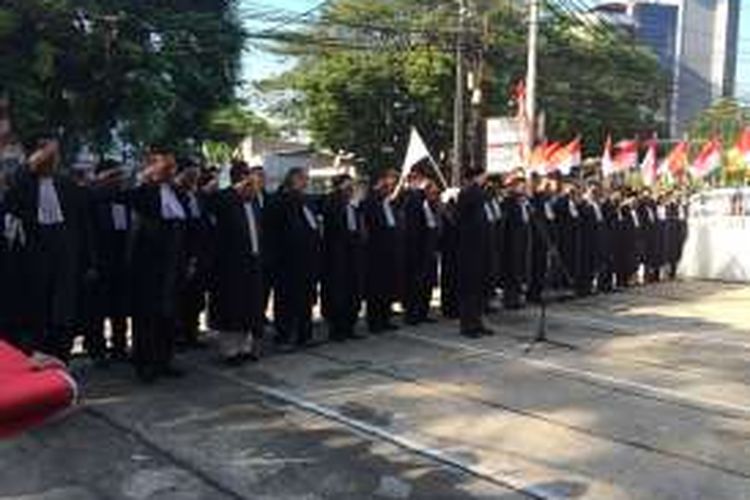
pixel 237 295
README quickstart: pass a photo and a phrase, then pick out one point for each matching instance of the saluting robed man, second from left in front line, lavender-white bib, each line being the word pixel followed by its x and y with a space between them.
pixel 158 266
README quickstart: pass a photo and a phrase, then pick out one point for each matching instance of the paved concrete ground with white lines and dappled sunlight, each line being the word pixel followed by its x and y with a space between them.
pixel 641 395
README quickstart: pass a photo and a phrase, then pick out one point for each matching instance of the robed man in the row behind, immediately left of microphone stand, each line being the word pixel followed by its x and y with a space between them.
pixel 516 214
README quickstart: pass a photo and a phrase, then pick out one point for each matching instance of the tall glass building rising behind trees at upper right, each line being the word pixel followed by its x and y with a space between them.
pixel 696 43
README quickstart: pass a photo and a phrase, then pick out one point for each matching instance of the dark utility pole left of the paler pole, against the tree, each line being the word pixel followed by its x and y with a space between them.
pixel 459 122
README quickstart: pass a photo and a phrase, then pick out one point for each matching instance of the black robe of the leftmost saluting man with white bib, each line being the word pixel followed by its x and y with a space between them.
pixel 51 263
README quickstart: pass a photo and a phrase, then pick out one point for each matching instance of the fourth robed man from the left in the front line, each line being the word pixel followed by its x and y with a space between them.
pixel 297 246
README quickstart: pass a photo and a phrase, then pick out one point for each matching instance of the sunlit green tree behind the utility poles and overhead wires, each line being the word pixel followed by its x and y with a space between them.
pixel 368 70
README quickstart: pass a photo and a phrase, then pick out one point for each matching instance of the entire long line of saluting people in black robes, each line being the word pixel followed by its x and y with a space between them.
pixel 152 255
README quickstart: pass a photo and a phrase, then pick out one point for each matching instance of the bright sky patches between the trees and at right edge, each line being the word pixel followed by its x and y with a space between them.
pixel 258 65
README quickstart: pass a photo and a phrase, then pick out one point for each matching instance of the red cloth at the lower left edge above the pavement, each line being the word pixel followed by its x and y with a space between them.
pixel 29 395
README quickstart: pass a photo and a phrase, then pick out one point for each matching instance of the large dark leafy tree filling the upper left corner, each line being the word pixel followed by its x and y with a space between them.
pixel 144 71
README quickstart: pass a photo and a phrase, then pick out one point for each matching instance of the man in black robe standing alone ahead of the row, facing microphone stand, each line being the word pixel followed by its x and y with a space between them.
pixel 474 248
